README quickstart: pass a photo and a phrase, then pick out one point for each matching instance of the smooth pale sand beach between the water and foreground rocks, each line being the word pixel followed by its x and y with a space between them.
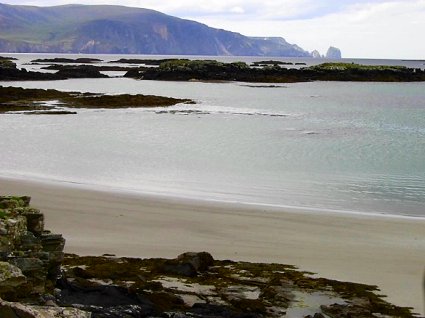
pixel 385 251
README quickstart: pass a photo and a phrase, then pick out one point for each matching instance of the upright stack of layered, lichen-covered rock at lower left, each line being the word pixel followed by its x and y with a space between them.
pixel 30 255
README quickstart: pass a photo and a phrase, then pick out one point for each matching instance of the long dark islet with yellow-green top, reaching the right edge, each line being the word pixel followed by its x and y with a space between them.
pixel 273 72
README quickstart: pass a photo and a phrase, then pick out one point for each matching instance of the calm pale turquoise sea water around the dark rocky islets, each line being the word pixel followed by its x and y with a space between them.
pixel 323 145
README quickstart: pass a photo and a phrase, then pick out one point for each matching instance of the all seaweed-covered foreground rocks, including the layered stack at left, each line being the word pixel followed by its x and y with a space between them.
pixel 38 280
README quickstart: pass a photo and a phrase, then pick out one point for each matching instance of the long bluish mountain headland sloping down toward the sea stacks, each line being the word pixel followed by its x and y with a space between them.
pixel 124 30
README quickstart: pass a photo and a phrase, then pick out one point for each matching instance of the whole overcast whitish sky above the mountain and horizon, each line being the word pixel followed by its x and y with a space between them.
pixel 360 28
